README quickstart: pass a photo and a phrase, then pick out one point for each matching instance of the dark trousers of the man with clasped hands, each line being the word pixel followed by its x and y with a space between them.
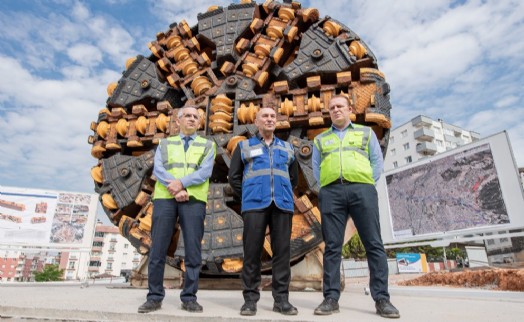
pixel 191 216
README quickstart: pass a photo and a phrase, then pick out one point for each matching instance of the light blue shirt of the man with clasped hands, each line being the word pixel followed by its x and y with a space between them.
pixel 197 177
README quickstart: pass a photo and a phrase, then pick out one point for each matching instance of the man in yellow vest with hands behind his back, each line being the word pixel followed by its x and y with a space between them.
pixel 347 161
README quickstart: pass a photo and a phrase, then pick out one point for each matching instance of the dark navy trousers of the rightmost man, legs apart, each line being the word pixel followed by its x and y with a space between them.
pixel 337 203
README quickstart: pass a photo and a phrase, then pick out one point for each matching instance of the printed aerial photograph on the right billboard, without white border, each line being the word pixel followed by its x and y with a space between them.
pixel 456 192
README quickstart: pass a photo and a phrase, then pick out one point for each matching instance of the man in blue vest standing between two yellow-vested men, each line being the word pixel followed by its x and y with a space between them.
pixel 263 172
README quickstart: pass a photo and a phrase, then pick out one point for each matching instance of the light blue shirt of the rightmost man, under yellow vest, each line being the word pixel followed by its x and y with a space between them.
pixel 375 154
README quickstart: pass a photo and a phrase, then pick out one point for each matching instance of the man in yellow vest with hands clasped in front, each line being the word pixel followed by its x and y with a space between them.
pixel 183 165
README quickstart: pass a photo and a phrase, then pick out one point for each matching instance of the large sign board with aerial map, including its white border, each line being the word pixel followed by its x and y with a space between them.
pixel 471 189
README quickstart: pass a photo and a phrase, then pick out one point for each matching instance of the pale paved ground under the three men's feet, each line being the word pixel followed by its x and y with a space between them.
pixel 117 302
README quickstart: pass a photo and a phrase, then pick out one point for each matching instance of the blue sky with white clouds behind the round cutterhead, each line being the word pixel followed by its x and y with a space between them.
pixel 460 61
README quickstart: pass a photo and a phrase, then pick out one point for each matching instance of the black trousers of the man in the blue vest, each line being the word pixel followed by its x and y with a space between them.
pixel 255 223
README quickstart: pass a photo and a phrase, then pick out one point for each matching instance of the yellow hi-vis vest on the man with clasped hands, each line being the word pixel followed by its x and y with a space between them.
pixel 180 163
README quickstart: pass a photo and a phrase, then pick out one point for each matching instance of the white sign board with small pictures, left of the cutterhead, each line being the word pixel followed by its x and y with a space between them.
pixel 53 219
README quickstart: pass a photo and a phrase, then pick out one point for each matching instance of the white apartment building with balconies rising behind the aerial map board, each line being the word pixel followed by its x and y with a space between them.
pixel 422 137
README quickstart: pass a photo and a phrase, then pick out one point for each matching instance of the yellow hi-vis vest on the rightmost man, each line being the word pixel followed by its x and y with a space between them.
pixel 347 159
